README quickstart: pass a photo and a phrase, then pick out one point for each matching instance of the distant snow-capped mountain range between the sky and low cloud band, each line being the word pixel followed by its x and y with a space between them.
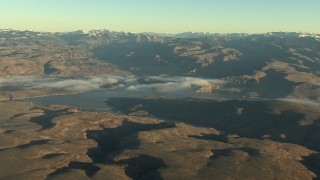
pixel 272 65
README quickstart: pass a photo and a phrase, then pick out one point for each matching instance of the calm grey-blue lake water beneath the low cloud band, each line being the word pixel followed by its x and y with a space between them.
pixel 96 100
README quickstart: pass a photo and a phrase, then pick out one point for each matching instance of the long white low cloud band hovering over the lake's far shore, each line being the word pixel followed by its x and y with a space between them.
pixel 162 83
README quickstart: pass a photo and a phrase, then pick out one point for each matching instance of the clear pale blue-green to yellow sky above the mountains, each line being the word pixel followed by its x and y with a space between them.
pixel 162 16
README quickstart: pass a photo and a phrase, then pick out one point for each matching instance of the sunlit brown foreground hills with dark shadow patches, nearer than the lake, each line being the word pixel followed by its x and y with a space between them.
pixel 62 142
